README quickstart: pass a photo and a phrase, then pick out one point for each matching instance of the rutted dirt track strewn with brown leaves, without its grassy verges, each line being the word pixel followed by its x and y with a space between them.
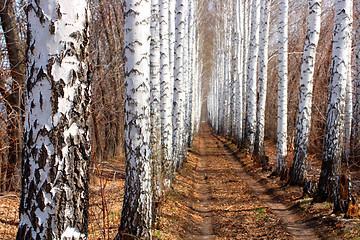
pixel 231 203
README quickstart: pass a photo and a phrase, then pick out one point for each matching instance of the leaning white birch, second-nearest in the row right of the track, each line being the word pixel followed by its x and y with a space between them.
pixel 299 169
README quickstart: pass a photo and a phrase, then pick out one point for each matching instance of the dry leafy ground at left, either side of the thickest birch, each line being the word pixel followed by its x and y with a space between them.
pixel 103 222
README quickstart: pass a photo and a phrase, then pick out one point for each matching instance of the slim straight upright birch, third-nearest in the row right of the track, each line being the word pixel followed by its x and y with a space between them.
pixel 281 144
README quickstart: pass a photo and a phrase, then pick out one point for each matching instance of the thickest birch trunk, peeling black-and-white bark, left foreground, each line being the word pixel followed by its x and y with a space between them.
pixel 54 195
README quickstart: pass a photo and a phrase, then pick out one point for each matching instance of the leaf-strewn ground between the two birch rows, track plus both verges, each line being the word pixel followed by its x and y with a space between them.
pixel 221 194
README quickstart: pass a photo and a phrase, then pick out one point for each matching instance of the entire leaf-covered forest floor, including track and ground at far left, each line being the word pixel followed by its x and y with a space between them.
pixel 219 194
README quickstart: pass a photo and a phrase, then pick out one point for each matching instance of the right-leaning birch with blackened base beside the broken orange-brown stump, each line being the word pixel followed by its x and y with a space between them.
pixel 330 168
